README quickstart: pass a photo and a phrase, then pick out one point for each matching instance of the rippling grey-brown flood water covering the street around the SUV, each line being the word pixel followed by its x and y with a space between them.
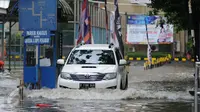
pixel 163 89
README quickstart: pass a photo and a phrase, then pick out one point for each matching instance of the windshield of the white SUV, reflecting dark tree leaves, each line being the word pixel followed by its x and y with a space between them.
pixel 92 57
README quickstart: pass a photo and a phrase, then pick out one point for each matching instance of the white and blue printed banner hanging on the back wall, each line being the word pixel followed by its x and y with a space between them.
pixel 158 31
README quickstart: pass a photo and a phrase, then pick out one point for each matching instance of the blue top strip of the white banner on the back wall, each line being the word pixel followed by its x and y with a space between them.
pixel 140 19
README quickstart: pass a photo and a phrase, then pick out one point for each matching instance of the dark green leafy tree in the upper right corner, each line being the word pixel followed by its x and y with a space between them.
pixel 177 13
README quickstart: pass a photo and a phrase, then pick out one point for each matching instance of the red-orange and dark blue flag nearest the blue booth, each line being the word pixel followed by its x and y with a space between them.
pixel 85 25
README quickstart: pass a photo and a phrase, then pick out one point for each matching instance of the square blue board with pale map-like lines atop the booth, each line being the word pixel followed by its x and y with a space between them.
pixel 38 14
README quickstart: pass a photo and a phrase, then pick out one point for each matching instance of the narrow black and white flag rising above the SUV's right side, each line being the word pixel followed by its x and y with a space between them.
pixel 117 28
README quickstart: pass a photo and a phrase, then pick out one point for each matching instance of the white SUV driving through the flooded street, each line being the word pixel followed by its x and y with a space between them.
pixel 93 66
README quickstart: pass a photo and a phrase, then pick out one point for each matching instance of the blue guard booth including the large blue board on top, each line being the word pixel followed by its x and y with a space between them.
pixel 38 21
